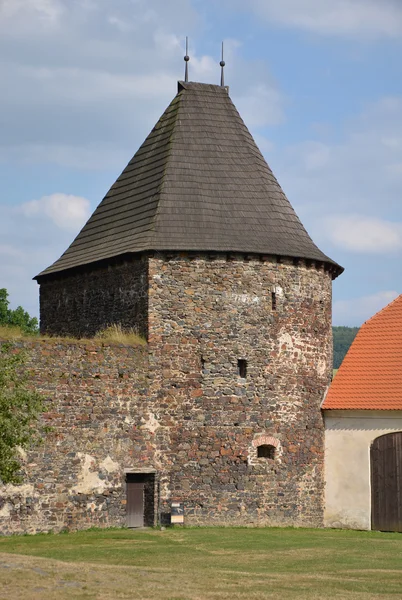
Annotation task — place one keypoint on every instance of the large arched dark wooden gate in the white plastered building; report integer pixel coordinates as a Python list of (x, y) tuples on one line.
[(386, 482)]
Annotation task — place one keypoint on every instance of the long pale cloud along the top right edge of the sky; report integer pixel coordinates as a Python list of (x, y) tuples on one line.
[(334, 17)]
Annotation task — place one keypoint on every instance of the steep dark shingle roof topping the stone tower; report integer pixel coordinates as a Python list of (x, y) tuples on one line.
[(197, 183)]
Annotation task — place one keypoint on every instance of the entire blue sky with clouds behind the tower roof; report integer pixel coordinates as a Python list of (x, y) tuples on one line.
[(318, 82)]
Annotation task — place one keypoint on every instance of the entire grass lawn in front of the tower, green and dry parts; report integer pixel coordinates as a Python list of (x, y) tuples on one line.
[(198, 563)]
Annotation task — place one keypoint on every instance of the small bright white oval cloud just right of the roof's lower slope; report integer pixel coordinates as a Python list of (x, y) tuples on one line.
[(359, 233)]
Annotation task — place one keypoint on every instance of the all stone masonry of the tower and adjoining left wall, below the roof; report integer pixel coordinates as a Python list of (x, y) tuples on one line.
[(179, 407)]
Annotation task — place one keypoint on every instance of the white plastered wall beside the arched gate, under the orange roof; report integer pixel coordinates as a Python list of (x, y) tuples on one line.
[(348, 437)]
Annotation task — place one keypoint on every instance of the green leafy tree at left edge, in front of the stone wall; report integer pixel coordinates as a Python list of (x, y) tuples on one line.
[(20, 408)]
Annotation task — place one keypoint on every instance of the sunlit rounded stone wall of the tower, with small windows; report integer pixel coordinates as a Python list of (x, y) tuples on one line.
[(204, 315)]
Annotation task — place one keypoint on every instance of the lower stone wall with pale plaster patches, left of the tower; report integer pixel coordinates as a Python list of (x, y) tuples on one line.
[(96, 406)]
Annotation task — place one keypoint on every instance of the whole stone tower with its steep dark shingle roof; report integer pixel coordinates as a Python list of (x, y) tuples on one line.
[(197, 247)]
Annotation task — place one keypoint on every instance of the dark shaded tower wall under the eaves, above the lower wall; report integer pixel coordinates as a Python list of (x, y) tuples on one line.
[(80, 304)]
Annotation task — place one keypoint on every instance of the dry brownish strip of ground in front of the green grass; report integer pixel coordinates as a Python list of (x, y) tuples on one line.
[(23, 577)]
